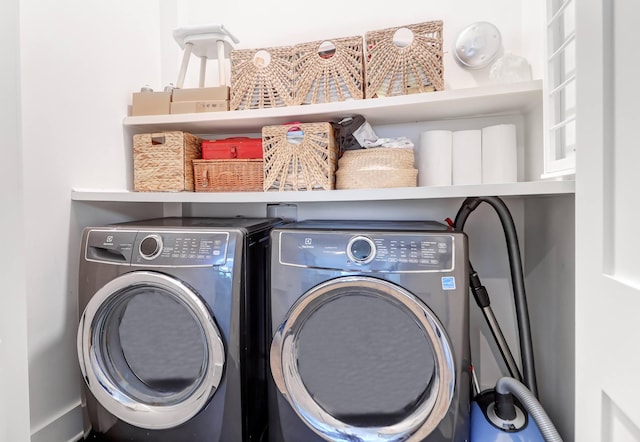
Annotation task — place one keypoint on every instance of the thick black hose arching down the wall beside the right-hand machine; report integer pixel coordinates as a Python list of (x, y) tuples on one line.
[(517, 279)]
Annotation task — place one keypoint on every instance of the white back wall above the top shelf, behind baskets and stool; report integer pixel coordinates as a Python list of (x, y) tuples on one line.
[(279, 23)]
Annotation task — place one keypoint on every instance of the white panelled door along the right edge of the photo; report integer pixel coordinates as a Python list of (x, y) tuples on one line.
[(608, 221)]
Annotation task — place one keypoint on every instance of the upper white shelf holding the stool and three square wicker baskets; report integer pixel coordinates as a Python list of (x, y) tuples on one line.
[(442, 105)]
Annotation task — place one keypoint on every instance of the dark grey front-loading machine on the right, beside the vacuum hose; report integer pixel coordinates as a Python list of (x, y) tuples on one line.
[(369, 325)]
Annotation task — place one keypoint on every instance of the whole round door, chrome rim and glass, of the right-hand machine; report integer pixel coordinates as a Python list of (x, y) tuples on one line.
[(359, 358)]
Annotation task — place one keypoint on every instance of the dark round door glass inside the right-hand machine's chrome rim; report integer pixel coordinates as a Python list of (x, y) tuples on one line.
[(351, 360)]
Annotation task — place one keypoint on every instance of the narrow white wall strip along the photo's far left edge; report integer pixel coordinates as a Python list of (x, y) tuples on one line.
[(14, 401)]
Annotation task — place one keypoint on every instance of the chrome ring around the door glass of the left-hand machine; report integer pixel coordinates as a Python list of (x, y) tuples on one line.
[(116, 401)]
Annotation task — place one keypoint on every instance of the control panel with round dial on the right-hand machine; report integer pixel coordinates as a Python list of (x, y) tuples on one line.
[(384, 251)]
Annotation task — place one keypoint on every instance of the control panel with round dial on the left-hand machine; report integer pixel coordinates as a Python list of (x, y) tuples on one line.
[(157, 248)]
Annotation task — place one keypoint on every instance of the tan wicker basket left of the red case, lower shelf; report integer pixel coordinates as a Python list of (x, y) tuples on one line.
[(162, 161)]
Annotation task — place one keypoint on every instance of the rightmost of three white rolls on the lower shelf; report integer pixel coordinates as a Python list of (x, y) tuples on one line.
[(499, 154)]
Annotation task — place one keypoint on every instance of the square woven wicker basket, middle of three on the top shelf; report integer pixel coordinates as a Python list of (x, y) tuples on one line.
[(334, 75)]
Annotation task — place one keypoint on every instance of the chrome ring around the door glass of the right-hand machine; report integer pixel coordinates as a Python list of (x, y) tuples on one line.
[(285, 372)]
